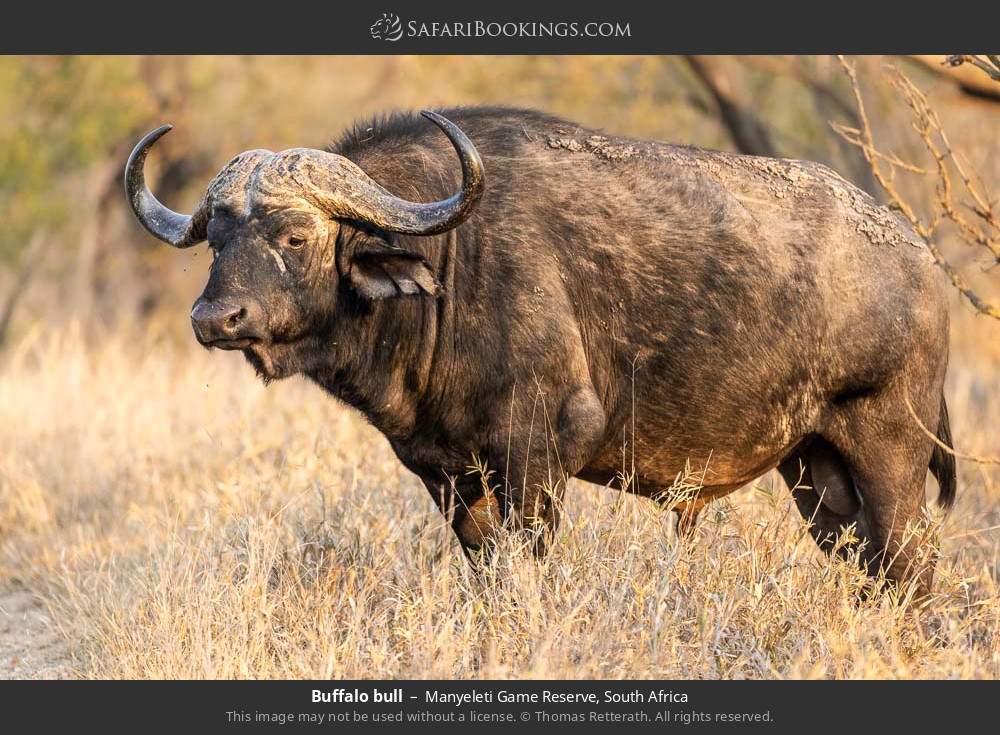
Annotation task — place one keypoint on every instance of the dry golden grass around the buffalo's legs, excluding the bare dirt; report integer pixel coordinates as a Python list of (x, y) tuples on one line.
[(179, 520)]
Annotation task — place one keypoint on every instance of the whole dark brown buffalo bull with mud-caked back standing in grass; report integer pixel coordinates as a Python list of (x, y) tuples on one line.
[(567, 297)]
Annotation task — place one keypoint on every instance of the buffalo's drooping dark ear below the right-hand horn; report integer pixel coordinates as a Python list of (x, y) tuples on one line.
[(379, 269)]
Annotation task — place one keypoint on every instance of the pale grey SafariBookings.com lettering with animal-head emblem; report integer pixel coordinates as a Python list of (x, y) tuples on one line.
[(390, 28)]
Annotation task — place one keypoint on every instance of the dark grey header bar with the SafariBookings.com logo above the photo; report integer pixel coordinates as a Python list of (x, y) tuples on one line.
[(511, 27)]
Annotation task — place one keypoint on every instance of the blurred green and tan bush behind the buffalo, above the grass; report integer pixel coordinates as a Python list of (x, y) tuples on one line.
[(70, 250)]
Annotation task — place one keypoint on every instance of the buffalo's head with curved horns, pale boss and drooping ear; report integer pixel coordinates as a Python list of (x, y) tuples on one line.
[(284, 231)]
